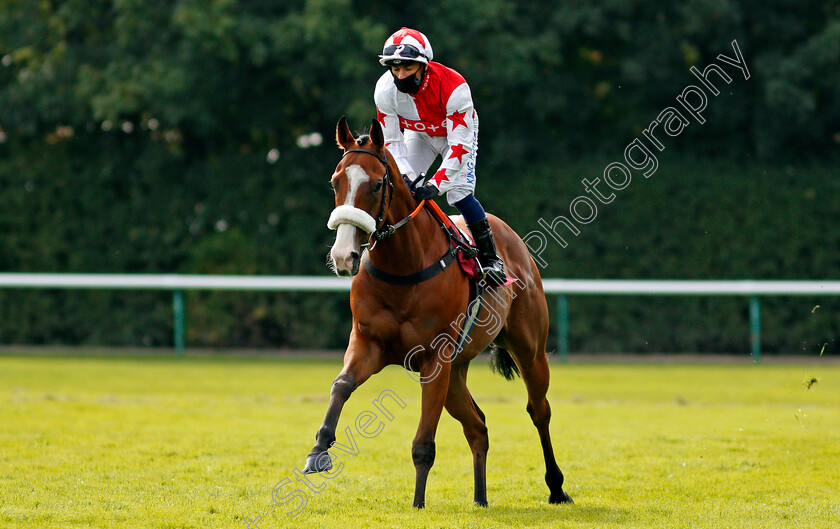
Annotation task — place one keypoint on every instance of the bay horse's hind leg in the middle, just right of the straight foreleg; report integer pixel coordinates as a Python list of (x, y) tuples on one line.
[(460, 404)]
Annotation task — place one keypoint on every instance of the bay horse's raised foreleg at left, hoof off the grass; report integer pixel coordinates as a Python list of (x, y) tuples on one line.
[(361, 360)]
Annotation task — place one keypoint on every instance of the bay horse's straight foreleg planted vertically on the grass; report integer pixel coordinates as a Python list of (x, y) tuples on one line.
[(435, 381)]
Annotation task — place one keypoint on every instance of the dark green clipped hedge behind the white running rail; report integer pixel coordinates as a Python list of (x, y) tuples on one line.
[(694, 218)]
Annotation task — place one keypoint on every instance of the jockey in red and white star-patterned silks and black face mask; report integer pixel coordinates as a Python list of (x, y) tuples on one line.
[(426, 110)]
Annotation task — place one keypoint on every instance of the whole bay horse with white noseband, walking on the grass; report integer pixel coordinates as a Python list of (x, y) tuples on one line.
[(410, 320)]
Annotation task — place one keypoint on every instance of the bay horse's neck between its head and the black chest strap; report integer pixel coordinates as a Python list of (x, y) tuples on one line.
[(412, 247)]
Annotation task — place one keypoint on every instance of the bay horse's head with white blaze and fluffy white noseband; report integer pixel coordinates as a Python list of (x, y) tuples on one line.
[(361, 182)]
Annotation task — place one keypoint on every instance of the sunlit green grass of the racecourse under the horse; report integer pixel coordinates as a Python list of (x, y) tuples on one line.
[(133, 442)]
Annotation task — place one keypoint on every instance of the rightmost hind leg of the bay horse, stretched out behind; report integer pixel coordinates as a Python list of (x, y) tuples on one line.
[(526, 339)]
